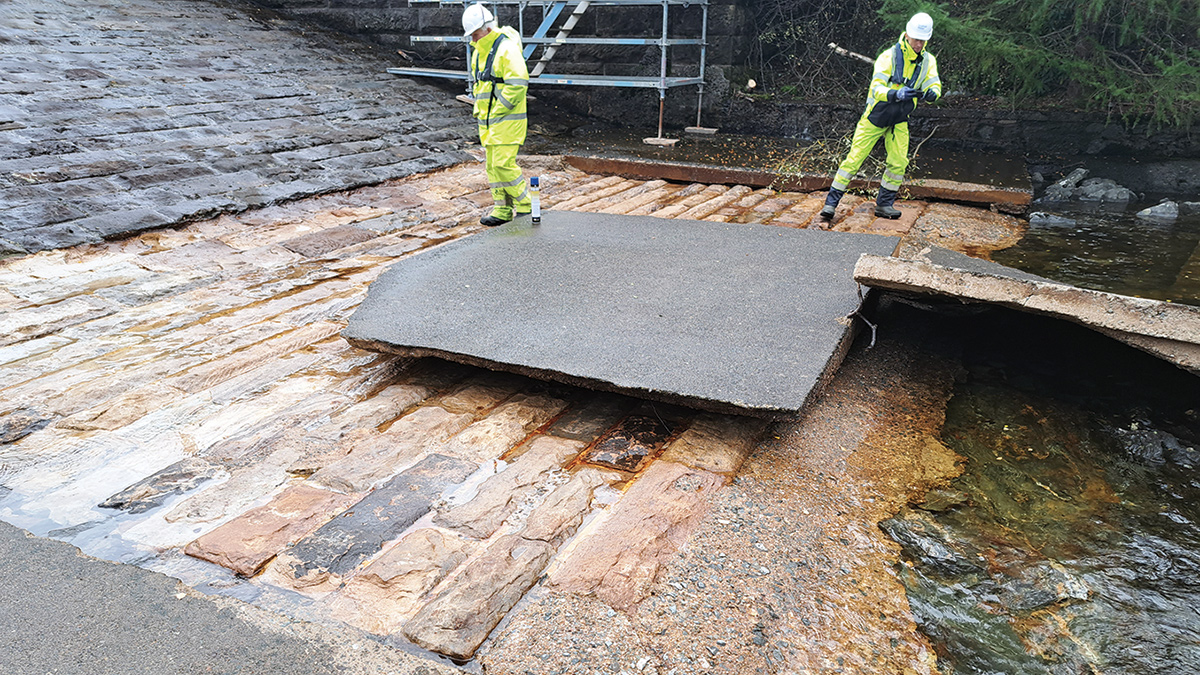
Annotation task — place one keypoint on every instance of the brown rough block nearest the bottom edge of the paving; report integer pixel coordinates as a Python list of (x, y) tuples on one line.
[(458, 622)]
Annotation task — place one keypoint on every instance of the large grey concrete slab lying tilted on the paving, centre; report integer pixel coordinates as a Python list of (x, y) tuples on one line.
[(743, 319)]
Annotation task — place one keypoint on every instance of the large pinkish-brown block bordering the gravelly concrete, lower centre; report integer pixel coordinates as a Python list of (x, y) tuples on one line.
[(652, 522)]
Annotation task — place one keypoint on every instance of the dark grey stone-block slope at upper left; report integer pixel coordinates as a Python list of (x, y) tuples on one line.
[(121, 117)]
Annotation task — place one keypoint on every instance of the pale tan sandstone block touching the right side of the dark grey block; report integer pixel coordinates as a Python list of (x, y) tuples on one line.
[(502, 494)]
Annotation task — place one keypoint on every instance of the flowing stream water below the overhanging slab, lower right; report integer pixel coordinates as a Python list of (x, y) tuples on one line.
[(1072, 541)]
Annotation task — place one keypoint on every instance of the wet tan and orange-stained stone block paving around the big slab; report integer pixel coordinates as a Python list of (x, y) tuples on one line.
[(182, 399)]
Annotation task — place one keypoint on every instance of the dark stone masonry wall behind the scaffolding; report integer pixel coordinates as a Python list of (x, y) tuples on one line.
[(391, 23)]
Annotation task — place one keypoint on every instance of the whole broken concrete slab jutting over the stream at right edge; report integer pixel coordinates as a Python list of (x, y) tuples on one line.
[(1166, 330)]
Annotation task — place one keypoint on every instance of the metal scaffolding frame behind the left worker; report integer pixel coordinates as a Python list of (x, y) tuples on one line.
[(551, 10)]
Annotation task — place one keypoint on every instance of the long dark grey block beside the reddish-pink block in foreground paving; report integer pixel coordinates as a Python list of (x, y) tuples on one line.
[(358, 534)]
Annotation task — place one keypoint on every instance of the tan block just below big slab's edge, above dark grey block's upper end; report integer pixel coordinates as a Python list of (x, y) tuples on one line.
[(505, 428)]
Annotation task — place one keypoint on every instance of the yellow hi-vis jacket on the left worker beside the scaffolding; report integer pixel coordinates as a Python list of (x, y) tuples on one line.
[(502, 81)]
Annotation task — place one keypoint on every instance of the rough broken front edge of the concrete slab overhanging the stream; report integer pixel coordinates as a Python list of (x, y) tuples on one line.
[(1095, 309)]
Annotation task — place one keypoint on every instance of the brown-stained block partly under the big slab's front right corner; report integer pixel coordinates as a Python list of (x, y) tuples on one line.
[(716, 443)]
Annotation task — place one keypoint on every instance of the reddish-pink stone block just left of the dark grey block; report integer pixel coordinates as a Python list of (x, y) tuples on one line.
[(249, 542)]
